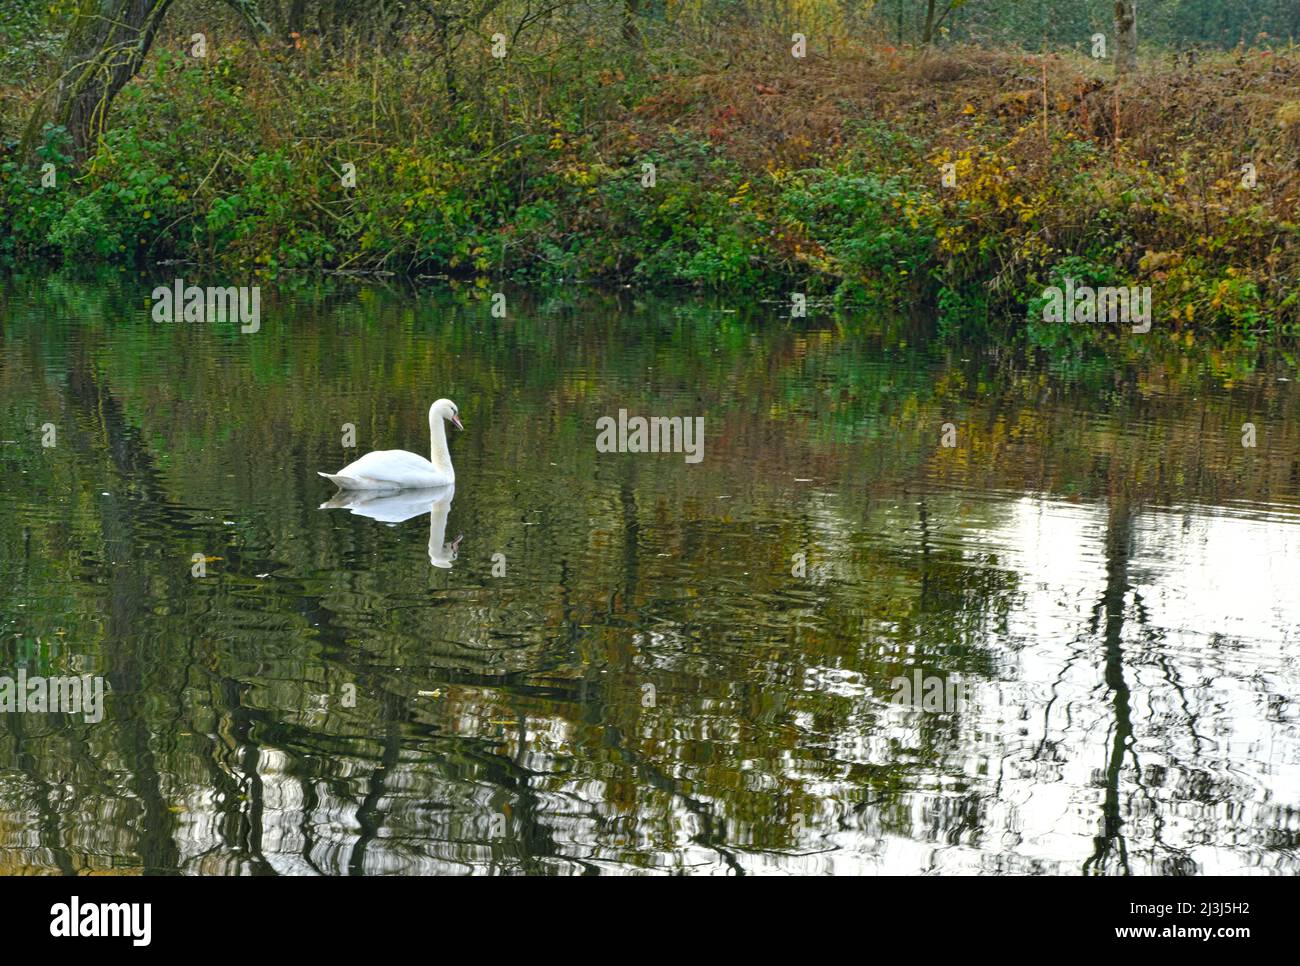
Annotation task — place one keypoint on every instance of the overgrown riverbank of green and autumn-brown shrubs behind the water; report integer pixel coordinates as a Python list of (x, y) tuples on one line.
[(960, 183)]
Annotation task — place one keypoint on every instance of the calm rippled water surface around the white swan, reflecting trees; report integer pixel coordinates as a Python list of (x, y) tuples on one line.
[(649, 687)]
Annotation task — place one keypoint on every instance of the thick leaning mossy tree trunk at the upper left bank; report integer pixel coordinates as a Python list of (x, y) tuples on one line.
[(106, 46)]
